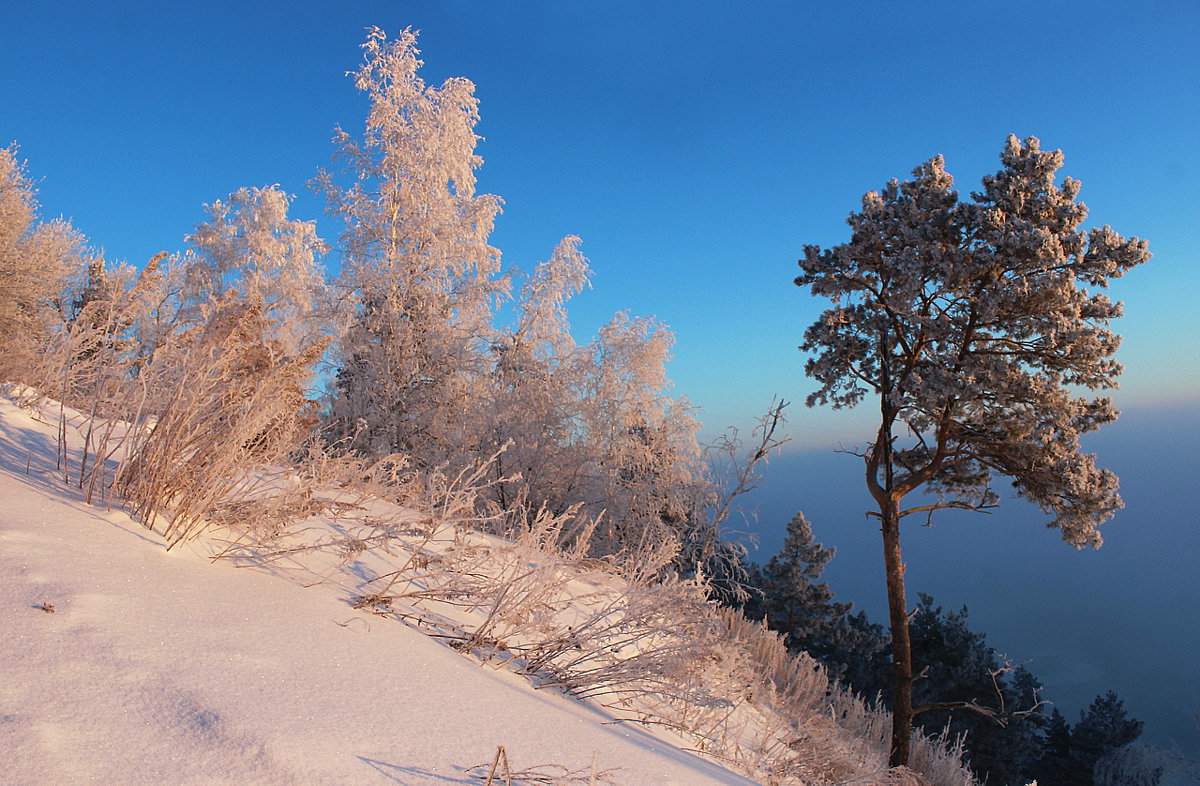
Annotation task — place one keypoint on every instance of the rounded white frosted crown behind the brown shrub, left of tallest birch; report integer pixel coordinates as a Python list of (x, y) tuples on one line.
[(251, 247)]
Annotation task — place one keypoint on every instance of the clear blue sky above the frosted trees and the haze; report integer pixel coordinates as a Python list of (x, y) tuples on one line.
[(694, 147)]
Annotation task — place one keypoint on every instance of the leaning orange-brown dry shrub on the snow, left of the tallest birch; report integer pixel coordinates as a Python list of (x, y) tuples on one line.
[(227, 401)]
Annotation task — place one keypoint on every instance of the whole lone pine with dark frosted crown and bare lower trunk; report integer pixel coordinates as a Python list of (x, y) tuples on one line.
[(974, 325)]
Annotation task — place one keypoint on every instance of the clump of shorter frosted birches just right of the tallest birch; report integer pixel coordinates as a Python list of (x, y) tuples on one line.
[(592, 427)]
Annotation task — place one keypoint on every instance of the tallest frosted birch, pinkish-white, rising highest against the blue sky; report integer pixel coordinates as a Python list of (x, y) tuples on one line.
[(419, 278)]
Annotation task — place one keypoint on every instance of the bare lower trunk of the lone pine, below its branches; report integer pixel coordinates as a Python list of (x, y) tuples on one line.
[(902, 647)]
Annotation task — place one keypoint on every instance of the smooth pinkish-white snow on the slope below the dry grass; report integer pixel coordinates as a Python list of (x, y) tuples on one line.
[(169, 668)]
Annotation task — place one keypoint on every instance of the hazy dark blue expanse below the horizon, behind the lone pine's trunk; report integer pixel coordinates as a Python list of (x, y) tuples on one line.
[(1125, 617)]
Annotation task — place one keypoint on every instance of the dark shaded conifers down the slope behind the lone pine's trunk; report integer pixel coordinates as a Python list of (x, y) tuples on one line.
[(964, 685)]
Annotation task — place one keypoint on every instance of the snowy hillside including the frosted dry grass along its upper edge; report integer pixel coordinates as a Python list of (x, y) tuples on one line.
[(316, 633)]
